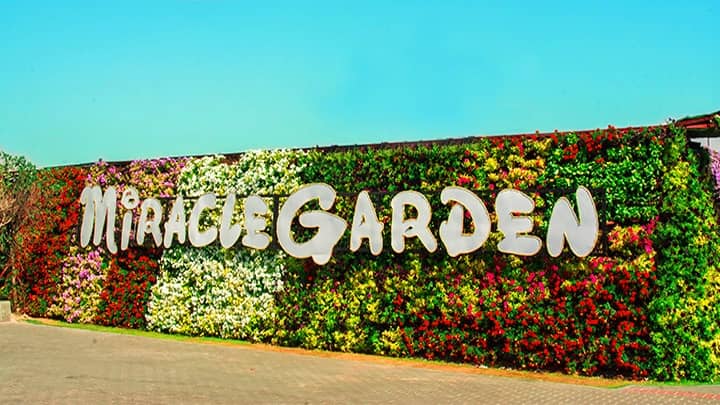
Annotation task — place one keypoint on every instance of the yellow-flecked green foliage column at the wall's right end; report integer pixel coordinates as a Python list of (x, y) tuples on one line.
[(685, 313)]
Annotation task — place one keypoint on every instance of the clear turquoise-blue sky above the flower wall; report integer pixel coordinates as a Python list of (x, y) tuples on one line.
[(118, 80)]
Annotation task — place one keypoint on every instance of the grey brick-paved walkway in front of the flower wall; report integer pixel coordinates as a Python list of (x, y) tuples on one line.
[(45, 364)]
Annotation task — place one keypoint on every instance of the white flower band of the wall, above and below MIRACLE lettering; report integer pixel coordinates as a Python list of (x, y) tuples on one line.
[(217, 292)]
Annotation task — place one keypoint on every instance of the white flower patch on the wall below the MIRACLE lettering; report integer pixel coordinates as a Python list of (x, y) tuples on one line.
[(215, 292)]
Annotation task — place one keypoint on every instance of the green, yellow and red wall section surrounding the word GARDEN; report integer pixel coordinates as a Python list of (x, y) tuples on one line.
[(570, 314)]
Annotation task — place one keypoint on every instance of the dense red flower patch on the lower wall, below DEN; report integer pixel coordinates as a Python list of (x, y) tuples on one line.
[(592, 324)]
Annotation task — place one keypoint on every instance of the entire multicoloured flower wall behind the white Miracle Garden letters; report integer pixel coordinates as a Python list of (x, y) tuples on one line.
[(642, 305)]
